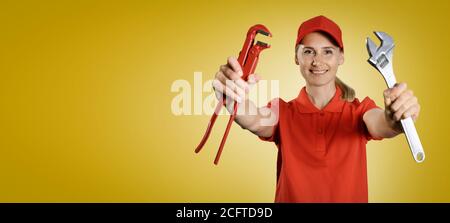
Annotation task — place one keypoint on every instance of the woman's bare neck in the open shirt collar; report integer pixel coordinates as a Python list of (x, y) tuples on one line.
[(320, 96)]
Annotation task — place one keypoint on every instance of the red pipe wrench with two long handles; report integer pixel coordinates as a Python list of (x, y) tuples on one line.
[(248, 59)]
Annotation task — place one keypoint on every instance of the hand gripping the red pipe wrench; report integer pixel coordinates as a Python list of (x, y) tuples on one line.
[(228, 82)]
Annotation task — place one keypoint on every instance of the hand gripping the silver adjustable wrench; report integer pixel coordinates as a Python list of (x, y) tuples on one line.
[(400, 103)]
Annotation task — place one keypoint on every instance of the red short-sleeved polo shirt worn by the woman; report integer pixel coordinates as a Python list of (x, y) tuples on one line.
[(322, 153)]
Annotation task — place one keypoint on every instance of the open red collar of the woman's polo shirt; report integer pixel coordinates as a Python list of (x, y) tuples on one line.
[(304, 105)]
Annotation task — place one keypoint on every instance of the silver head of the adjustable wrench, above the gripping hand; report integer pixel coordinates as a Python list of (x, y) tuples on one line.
[(381, 57)]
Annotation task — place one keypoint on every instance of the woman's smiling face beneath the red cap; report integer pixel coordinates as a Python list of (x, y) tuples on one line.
[(319, 59)]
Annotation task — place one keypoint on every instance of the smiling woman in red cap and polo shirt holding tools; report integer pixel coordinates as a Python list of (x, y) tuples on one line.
[(322, 134)]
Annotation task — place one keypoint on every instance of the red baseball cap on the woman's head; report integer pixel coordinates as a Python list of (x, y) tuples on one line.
[(320, 23)]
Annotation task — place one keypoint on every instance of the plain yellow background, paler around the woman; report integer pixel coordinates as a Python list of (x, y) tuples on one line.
[(85, 97)]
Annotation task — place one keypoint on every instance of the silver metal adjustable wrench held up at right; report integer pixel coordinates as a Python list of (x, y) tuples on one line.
[(381, 59)]
